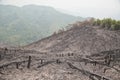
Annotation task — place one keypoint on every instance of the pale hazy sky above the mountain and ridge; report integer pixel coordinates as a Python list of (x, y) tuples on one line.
[(83, 8)]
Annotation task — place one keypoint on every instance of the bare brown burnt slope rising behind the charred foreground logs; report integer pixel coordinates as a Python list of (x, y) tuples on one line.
[(82, 38)]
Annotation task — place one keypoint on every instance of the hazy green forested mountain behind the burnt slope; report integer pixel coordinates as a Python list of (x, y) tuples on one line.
[(23, 25)]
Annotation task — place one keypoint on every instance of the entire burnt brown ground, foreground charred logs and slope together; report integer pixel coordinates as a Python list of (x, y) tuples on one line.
[(83, 52)]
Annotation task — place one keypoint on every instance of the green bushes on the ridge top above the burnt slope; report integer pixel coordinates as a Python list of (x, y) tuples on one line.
[(107, 23)]
